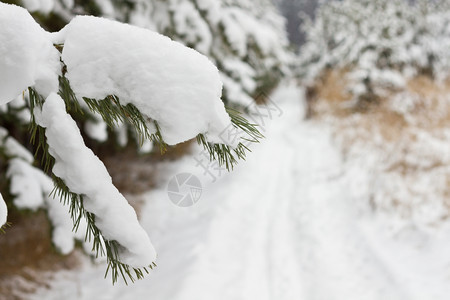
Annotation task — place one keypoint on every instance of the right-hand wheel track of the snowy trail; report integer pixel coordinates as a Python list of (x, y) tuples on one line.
[(337, 260)]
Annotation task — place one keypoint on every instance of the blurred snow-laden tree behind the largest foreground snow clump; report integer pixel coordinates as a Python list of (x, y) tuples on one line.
[(245, 39)]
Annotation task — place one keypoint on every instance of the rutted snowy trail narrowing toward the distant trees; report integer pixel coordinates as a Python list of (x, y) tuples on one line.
[(286, 227)]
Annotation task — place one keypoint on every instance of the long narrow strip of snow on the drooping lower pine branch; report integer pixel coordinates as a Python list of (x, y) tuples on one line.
[(85, 174)]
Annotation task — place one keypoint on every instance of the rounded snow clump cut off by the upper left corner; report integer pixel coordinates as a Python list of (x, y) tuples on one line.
[(27, 56)]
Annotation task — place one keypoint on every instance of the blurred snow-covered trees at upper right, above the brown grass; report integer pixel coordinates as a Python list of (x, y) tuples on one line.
[(381, 43)]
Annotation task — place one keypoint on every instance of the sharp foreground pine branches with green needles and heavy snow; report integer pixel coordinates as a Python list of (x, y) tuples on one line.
[(167, 92)]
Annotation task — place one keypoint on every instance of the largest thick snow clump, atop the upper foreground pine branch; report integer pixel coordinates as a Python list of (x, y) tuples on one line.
[(168, 82)]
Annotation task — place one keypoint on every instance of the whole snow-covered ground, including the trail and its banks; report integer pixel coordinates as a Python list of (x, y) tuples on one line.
[(286, 224)]
